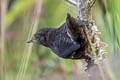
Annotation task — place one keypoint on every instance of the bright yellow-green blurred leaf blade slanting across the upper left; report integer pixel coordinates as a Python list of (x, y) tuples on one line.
[(17, 8)]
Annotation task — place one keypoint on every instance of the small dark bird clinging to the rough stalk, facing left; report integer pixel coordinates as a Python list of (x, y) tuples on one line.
[(68, 41)]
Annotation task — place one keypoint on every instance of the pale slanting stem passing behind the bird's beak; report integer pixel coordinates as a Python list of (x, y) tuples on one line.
[(28, 49)]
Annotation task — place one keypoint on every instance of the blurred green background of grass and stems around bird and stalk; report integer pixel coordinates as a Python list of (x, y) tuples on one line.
[(21, 61)]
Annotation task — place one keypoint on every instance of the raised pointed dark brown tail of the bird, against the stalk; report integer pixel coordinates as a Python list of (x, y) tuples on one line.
[(74, 26)]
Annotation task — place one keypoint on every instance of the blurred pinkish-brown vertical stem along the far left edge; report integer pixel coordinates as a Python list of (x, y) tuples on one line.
[(3, 12)]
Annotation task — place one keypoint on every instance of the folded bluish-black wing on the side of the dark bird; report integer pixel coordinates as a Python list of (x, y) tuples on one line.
[(64, 47)]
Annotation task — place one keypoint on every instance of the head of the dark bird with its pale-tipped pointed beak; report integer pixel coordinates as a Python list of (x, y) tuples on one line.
[(40, 37)]
